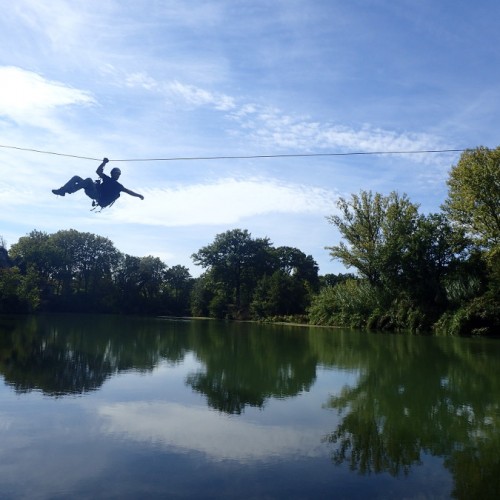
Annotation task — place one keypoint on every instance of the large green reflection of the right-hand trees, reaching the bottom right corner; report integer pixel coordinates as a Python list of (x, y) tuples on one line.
[(435, 396)]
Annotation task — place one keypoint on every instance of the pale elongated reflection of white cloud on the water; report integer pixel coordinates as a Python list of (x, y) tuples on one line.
[(218, 436)]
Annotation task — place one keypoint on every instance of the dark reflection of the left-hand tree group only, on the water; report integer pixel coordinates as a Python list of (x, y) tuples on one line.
[(61, 355)]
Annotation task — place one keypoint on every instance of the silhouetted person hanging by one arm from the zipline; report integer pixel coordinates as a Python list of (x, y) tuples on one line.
[(104, 192)]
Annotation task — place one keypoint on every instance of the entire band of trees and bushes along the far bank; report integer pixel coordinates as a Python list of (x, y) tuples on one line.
[(436, 273)]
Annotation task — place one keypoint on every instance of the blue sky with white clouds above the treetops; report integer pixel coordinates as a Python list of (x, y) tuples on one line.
[(130, 79)]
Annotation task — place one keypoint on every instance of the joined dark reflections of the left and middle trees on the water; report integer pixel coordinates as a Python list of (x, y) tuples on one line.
[(243, 365)]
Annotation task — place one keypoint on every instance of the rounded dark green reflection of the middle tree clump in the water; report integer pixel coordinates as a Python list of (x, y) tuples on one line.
[(246, 365)]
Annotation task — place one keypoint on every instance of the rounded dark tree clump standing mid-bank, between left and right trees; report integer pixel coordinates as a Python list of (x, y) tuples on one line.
[(249, 278)]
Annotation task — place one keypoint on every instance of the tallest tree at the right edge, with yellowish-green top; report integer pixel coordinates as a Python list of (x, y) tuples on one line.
[(473, 206)]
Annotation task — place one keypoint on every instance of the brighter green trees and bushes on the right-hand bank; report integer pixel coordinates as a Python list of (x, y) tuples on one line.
[(419, 272)]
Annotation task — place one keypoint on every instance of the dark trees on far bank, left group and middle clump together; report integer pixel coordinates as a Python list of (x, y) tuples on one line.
[(84, 272)]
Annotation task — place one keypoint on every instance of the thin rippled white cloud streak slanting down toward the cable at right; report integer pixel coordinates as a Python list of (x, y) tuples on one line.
[(273, 129)]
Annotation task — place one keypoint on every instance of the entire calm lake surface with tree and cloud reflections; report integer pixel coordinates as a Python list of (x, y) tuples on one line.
[(109, 407)]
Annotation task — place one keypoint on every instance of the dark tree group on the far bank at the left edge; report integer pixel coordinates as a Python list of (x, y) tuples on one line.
[(72, 271)]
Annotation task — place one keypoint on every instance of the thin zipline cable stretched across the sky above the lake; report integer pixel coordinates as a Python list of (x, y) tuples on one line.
[(246, 157)]
